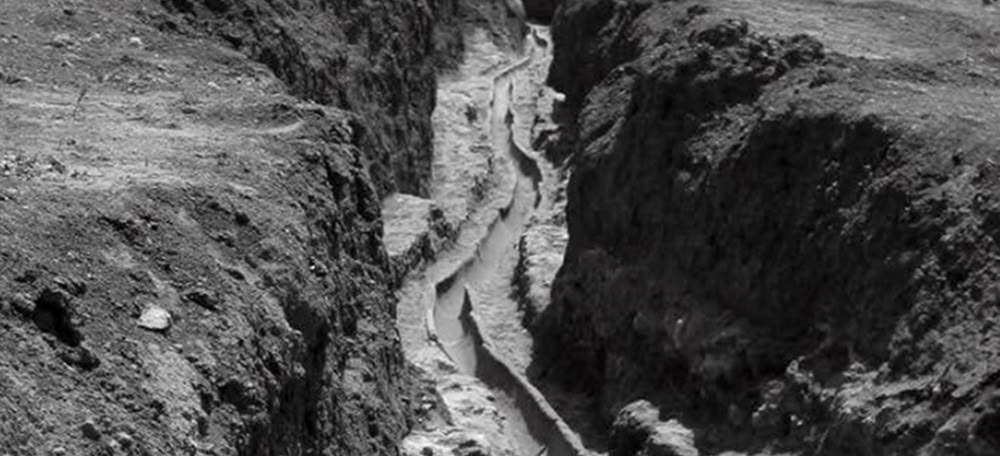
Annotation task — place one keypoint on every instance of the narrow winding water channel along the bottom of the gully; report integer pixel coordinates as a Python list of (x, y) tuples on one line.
[(533, 426)]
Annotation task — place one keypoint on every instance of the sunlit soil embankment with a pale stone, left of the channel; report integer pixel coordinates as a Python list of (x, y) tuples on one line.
[(191, 255)]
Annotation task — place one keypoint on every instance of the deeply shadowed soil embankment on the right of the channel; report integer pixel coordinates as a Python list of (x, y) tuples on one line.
[(786, 242)]
